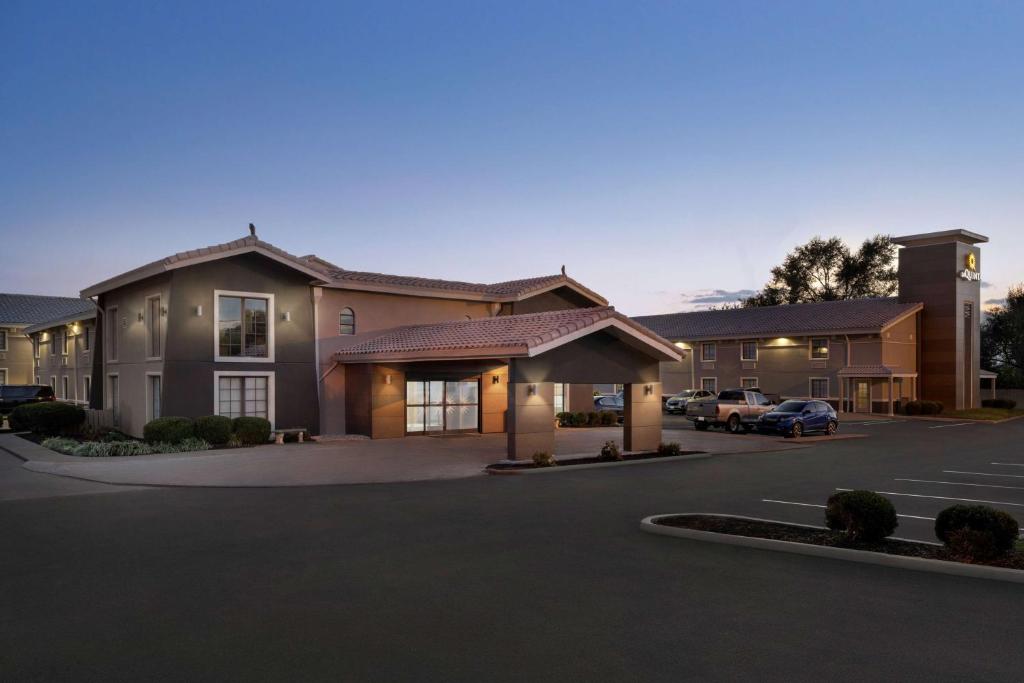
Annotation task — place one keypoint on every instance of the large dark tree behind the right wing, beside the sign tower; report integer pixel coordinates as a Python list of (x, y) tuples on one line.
[(829, 271)]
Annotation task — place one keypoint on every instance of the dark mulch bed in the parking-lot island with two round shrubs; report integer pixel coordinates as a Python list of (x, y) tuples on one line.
[(816, 537)]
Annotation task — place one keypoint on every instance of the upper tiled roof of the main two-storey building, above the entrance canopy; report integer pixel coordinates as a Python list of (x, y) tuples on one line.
[(325, 274)]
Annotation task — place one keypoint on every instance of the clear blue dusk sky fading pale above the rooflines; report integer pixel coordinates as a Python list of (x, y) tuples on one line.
[(668, 154)]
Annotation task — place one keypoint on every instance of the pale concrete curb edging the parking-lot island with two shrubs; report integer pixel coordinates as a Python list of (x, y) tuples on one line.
[(863, 557)]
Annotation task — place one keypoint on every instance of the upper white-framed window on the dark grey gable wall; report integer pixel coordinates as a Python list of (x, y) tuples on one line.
[(243, 327)]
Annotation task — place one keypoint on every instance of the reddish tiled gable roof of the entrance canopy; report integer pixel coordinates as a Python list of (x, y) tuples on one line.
[(525, 335)]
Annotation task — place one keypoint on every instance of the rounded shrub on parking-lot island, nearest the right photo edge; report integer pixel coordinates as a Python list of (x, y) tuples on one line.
[(976, 532)]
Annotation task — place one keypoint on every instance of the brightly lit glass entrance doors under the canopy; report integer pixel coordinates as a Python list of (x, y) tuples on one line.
[(434, 406)]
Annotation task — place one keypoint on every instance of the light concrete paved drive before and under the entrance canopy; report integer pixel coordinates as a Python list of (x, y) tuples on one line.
[(358, 461)]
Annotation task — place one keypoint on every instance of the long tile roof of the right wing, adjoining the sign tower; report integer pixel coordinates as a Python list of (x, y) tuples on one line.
[(802, 319)]
